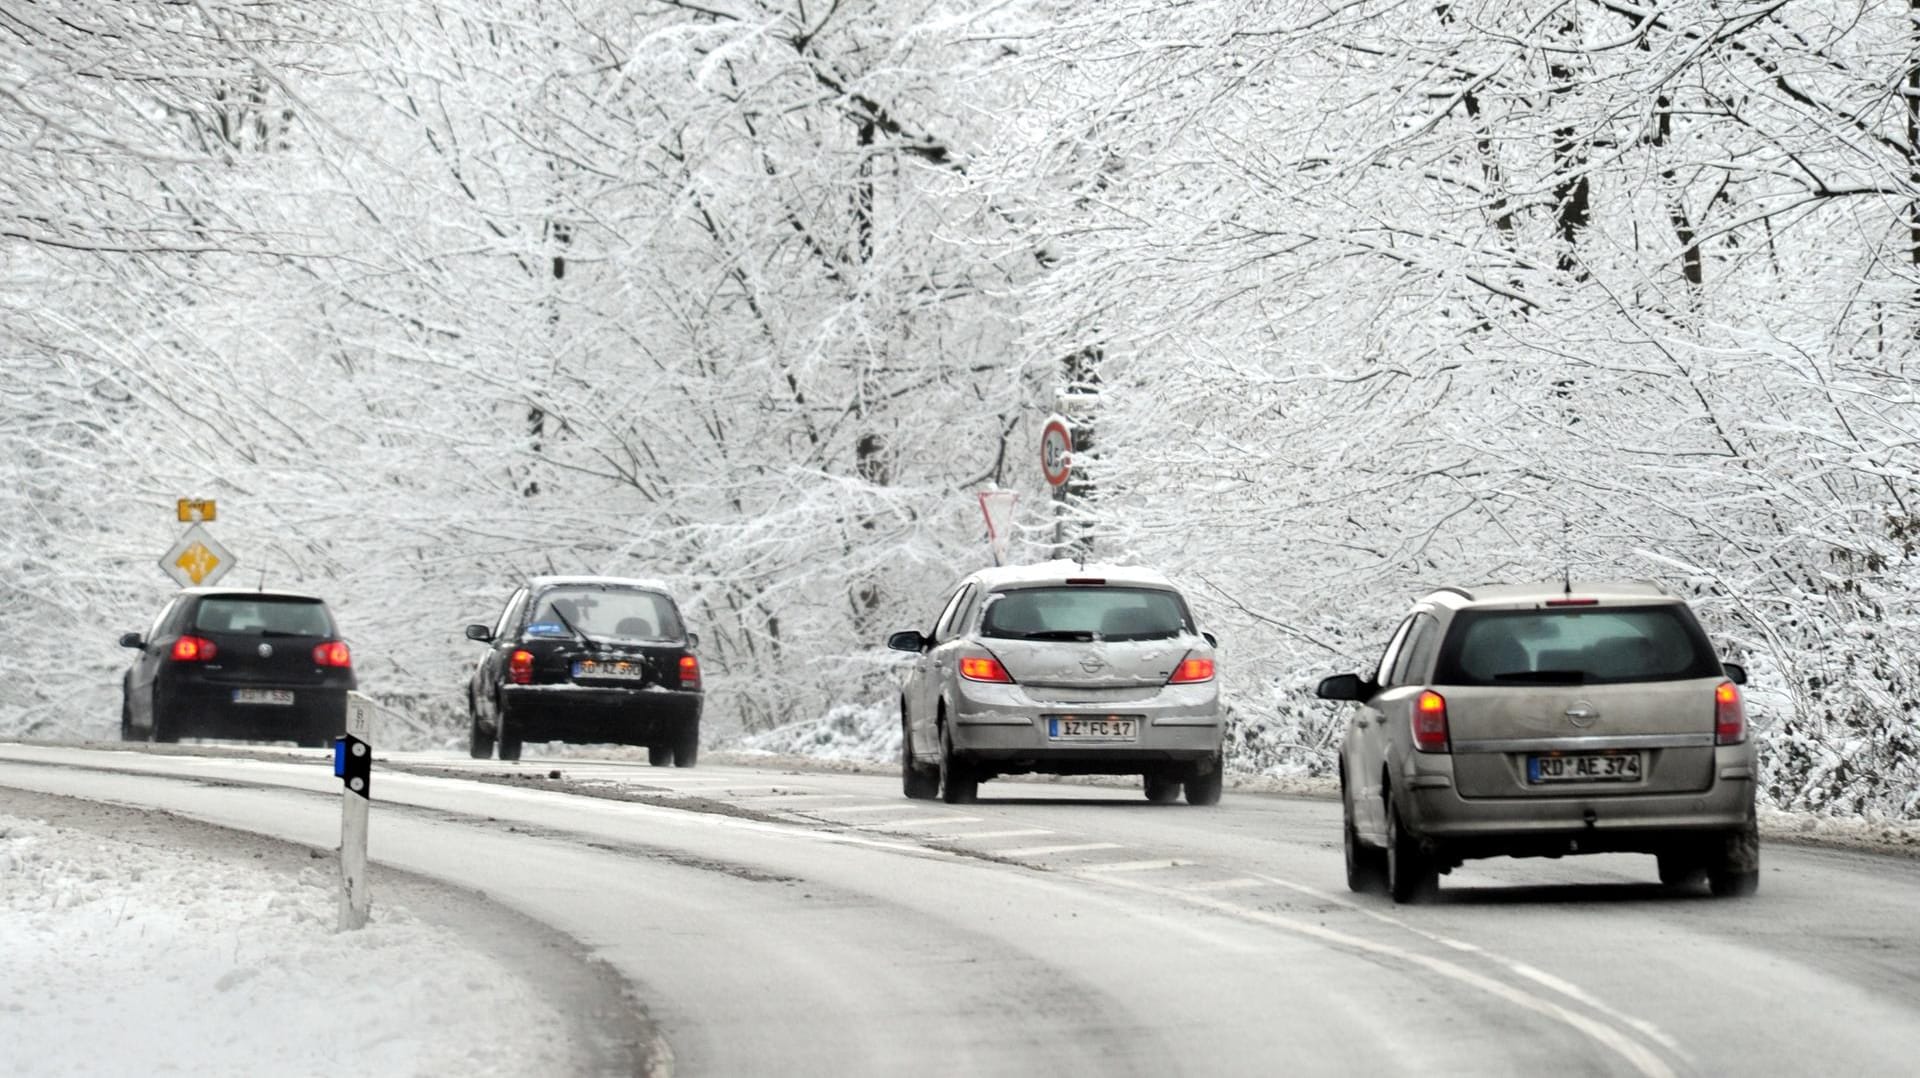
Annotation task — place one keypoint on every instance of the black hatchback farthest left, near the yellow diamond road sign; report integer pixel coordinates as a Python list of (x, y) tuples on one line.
[(233, 664)]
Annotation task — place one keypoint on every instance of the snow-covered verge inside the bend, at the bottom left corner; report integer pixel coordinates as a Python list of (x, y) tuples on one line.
[(122, 960)]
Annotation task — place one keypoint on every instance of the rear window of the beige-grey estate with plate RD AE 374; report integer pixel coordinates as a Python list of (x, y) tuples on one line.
[(1577, 647)]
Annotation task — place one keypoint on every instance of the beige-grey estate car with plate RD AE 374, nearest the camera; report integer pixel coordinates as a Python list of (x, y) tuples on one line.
[(1541, 722)]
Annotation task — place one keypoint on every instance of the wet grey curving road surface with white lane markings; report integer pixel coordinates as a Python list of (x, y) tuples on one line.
[(817, 923)]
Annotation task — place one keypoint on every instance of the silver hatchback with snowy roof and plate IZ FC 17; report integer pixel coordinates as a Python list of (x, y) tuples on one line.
[(1063, 670)]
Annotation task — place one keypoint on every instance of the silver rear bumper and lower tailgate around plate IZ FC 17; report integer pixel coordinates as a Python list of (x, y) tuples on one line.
[(1005, 731)]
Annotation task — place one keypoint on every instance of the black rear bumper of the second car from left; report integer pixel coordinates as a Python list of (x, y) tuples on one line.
[(600, 716)]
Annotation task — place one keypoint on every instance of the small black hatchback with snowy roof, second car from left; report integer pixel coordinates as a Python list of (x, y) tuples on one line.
[(588, 660)]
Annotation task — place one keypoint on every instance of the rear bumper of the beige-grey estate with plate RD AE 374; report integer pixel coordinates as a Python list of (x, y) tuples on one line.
[(1585, 821)]
